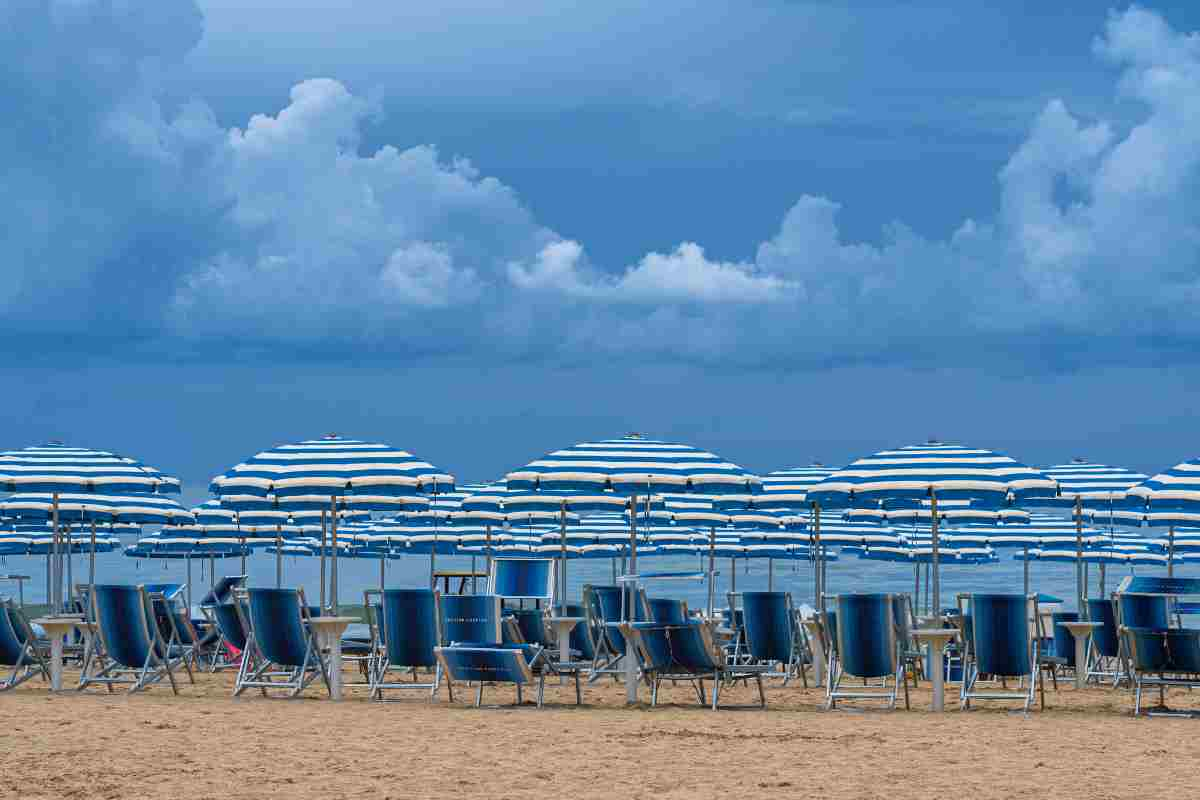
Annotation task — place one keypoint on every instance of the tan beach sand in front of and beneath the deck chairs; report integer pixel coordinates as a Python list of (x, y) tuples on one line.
[(206, 744)]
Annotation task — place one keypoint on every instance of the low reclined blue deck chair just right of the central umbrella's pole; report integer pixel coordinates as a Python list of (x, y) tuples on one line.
[(687, 653)]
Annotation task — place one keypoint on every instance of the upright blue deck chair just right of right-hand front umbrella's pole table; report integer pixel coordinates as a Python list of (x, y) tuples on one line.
[(1004, 645)]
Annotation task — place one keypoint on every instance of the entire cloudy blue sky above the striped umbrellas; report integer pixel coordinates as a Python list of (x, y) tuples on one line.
[(783, 231)]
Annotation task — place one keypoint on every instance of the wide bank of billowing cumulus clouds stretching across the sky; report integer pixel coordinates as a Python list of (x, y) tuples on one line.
[(157, 224)]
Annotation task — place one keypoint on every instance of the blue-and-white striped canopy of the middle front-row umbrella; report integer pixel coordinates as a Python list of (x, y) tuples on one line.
[(634, 466)]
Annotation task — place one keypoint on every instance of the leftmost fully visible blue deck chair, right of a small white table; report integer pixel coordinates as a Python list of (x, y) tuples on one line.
[(131, 648)]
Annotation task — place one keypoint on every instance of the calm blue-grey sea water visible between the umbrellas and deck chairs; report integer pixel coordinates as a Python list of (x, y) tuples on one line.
[(356, 575)]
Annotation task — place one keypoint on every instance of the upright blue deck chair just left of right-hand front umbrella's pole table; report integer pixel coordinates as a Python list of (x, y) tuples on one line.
[(868, 648)]
